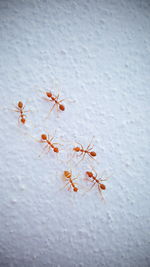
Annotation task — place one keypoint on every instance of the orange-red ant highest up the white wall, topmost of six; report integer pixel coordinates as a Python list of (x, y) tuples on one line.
[(51, 98)]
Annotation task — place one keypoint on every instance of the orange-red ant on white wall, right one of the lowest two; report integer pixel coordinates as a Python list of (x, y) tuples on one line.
[(93, 178)]
